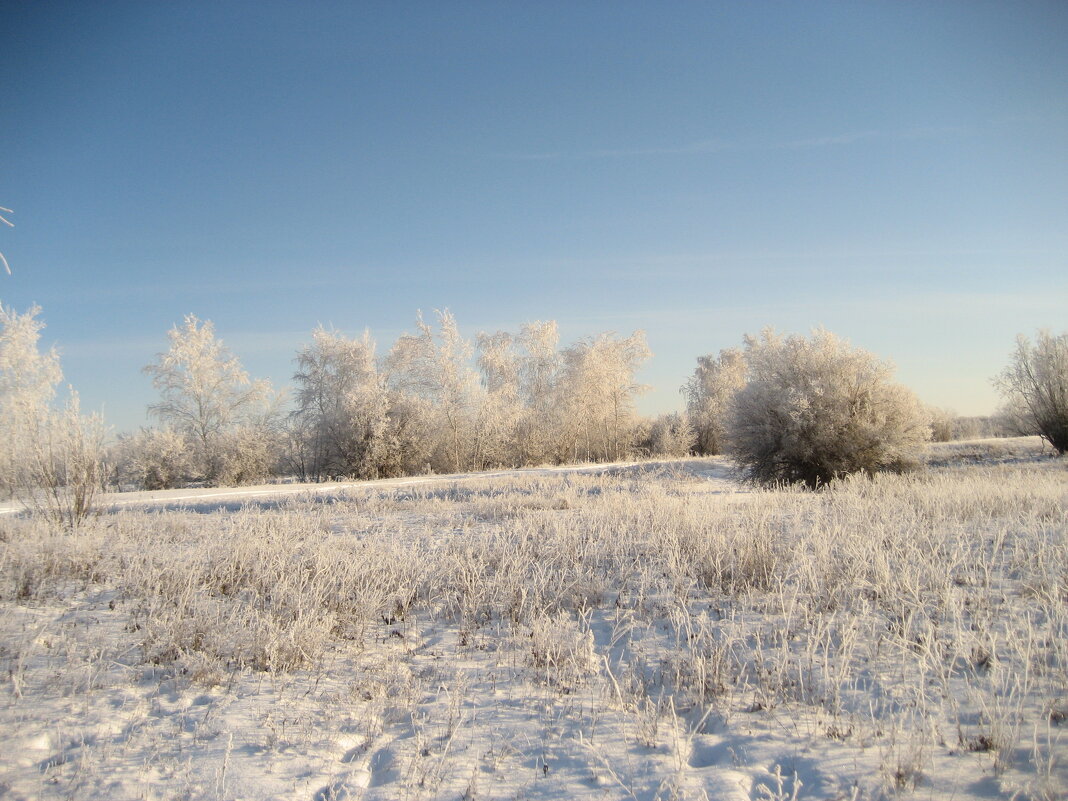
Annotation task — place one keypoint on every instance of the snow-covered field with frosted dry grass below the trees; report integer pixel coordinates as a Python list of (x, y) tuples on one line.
[(646, 632)]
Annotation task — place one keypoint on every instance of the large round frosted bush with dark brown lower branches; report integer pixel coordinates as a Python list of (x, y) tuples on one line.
[(816, 409)]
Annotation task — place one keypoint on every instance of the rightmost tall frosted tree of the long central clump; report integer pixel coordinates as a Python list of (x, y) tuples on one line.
[(598, 389)]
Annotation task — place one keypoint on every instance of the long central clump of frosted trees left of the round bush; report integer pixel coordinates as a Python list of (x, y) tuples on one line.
[(436, 402)]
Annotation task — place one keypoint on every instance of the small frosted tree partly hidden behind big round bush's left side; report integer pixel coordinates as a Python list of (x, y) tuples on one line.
[(709, 396)]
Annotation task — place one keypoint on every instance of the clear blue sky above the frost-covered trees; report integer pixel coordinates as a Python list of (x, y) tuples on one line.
[(897, 172)]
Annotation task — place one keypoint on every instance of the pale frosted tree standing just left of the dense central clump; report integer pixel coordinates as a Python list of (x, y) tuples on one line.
[(210, 400)]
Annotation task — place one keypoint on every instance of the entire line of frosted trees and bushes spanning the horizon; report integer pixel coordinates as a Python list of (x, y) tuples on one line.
[(786, 409)]
